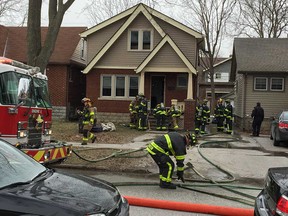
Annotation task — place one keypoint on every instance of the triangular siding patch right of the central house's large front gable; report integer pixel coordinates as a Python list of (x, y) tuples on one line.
[(186, 42)]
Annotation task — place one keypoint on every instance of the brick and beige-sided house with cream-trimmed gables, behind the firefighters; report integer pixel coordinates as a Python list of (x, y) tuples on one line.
[(141, 51)]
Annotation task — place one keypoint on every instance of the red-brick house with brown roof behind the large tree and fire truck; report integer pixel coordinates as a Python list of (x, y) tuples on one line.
[(62, 74)]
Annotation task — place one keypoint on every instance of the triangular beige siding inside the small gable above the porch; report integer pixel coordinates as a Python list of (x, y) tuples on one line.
[(167, 58)]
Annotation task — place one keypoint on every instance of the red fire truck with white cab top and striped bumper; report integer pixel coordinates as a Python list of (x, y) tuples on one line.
[(26, 112)]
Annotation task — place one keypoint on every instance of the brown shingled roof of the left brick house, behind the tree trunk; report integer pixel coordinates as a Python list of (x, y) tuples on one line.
[(13, 43)]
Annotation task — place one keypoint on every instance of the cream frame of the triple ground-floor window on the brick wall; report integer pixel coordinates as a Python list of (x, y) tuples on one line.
[(113, 86)]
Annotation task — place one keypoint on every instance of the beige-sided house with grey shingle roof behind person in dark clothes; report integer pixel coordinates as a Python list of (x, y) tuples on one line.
[(260, 66)]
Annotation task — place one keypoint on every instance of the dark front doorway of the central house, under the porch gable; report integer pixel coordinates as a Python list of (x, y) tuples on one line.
[(157, 90)]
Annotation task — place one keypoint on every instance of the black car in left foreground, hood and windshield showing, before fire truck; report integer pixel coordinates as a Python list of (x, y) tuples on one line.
[(29, 188)]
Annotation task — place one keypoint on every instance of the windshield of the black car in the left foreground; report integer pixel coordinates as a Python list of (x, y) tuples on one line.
[(15, 166)]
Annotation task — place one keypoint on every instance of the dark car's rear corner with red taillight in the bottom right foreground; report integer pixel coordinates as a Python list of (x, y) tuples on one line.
[(273, 199)]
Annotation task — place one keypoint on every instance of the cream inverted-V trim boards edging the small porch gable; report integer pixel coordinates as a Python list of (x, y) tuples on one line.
[(166, 39)]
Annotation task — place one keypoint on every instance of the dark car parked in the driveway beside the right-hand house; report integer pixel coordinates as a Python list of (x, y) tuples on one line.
[(279, 128)]
